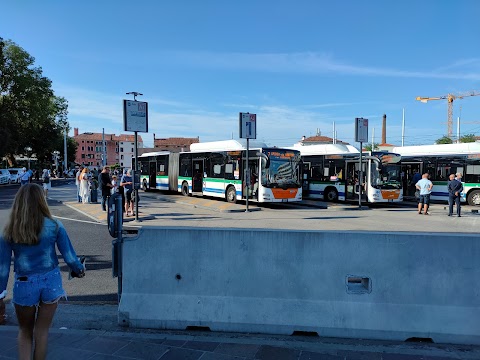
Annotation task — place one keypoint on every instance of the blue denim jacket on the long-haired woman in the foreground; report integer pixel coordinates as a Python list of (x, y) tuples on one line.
[(39, 258)]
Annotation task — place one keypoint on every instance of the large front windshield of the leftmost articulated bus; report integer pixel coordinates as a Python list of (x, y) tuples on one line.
[(283, 170)]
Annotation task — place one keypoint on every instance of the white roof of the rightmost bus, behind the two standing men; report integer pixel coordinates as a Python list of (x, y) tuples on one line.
[(439, 149)]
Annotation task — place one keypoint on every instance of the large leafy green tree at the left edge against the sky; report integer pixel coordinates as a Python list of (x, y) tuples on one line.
[(31, 116)]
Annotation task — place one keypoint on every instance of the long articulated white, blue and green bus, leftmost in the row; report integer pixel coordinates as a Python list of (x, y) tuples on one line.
[(218, 169)]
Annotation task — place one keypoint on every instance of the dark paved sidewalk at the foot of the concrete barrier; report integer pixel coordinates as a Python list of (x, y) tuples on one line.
[(90, 332)]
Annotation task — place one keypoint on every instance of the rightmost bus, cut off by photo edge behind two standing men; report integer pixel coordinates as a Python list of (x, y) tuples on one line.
[(440, 161)]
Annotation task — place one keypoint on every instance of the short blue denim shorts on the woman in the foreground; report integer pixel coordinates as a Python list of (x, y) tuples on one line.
[(34, 289)]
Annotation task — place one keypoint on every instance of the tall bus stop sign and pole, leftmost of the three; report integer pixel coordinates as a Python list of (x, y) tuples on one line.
[(135, 118)]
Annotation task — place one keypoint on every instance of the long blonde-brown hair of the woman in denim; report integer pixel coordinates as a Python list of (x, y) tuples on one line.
[(29, 211)]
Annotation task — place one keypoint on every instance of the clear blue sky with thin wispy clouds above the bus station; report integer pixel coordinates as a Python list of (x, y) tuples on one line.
[(299, 65)]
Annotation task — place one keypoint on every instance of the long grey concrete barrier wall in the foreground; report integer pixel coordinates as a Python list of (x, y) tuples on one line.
[(390, 286)]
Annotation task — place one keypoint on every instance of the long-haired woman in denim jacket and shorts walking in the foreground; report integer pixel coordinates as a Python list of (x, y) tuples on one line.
[(32, 236)]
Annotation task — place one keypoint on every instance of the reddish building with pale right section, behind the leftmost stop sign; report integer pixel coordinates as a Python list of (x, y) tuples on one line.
[(119, 149)]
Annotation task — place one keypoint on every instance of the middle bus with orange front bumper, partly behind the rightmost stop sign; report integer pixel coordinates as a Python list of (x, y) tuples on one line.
[(331, 173)]
